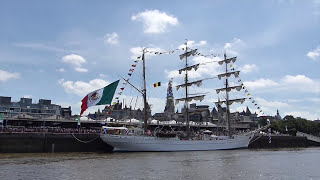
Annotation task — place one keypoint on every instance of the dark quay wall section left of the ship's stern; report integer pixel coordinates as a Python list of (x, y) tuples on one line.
[(43, 142)]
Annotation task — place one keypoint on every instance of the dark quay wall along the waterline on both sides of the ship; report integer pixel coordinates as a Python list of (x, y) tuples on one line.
[(46, 142)]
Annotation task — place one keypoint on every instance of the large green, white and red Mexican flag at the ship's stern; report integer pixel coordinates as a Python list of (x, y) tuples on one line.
[(99, 97)]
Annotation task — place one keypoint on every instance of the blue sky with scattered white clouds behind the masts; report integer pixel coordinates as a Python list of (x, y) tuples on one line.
[(62, 50)]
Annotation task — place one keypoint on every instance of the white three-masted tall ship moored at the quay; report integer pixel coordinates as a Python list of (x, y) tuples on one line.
[(186, 141)]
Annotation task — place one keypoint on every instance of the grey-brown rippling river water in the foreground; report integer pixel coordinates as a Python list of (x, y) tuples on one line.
[(230, 164)]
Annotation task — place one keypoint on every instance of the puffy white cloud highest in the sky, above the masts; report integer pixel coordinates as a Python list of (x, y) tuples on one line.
[(155, 21)]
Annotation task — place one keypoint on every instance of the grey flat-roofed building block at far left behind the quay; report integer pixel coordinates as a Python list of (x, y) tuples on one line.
[(43, 109)]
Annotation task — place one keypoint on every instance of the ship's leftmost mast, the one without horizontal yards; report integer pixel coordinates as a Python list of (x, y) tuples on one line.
[(144, 92)]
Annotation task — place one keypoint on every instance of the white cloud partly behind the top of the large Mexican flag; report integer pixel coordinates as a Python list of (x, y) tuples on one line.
[(81, 88)]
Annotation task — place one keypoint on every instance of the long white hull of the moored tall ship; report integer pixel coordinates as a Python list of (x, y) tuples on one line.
[(148, 143)]
